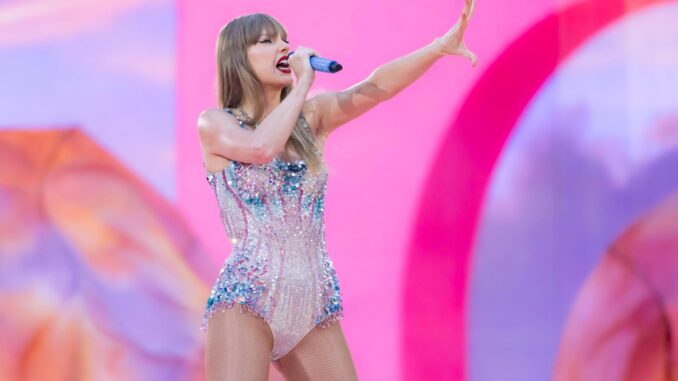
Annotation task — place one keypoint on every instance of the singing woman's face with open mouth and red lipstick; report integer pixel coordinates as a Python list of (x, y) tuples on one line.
[(264, 56)]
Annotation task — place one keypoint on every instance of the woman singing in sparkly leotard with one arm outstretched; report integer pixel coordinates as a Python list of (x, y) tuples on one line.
[(262, 153)]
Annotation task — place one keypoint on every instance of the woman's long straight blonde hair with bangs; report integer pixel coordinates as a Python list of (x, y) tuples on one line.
[(236, 79)]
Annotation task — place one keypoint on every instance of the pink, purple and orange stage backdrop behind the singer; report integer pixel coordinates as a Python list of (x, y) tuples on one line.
[(487, 223)]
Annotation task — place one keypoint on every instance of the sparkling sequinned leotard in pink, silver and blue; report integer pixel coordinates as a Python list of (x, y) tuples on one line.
[(278, 268)]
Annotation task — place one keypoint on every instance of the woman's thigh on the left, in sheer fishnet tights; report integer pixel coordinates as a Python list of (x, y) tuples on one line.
[(238, 347)]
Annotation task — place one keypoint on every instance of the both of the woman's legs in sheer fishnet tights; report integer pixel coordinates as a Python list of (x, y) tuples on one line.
[(239, 345)]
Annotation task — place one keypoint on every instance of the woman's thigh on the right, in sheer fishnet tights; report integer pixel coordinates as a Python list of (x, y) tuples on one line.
[(322, 355)]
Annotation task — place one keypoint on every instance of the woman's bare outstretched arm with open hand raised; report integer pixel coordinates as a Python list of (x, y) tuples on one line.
[(337, 108)]
